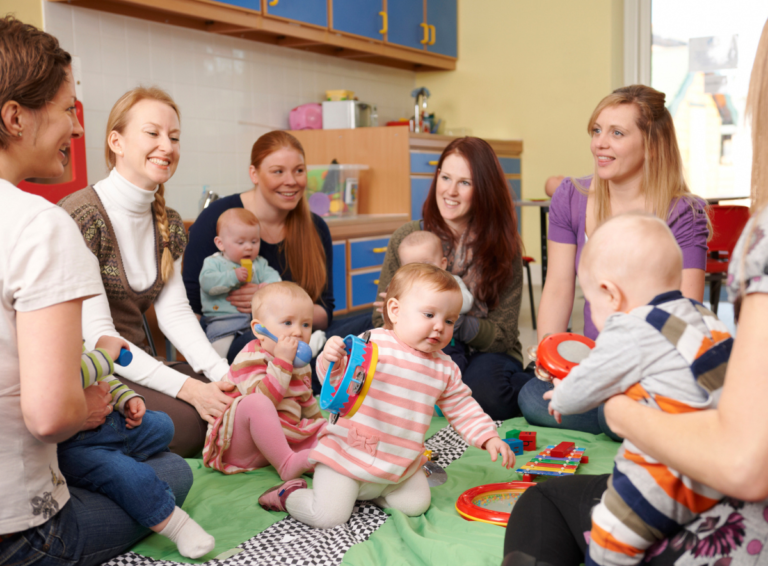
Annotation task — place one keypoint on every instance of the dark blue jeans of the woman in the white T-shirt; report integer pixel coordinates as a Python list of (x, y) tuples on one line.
[(90, 529)]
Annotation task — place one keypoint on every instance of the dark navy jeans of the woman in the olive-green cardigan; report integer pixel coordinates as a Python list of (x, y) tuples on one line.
[(496, 381)]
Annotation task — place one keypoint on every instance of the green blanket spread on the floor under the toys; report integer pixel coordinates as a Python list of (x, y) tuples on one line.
[(226, 507)]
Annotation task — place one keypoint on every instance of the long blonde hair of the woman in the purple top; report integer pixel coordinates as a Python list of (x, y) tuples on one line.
[(663, 180)]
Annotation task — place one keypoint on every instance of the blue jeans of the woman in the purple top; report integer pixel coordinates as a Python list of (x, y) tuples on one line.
[(536, 411)]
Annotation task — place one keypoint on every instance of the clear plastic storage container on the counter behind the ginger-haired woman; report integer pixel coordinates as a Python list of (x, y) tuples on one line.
[(334, 190)]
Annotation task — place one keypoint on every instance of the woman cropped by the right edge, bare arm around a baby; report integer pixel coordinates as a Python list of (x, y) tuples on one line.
[(724, 448)]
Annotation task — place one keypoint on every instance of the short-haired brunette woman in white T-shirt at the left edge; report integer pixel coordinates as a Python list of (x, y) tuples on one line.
[(45, 275)]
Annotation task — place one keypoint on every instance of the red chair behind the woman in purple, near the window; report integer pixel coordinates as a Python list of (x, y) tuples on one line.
[(728, 221)]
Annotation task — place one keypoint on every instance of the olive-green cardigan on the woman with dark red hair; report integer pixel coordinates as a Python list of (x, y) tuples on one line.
[(498, 332)]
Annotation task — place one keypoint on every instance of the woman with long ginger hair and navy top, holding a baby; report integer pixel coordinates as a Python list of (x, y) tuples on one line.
[(294, 241)]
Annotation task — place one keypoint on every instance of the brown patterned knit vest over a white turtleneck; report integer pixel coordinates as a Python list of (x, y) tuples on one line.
[(126, 305)]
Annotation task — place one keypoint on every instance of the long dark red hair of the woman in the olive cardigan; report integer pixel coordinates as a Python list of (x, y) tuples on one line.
[(493, 221)]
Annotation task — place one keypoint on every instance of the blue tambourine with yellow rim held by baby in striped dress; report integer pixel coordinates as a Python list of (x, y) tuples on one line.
[(345, 399)]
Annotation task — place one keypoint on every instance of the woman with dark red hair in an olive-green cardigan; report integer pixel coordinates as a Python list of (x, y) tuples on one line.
[(470, 208)]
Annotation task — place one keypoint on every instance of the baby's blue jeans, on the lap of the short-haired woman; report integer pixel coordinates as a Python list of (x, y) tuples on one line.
[(110, 460)]
